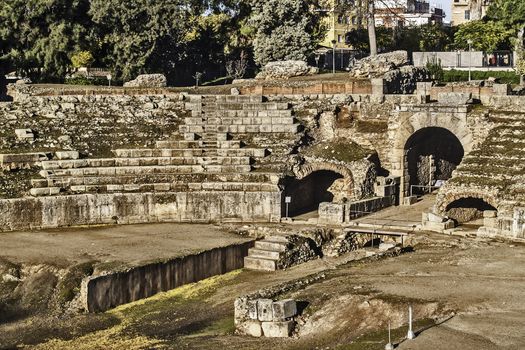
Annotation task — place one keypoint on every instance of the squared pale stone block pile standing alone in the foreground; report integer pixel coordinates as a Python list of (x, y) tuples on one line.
[(265, 317)]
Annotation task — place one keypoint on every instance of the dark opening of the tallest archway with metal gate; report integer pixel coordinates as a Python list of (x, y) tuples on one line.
[(430, 155)]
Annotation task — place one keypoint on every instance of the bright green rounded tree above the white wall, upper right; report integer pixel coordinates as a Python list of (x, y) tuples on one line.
[(486, 36)]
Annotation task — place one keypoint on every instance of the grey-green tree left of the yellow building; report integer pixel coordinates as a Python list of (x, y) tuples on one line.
[(285, 29)]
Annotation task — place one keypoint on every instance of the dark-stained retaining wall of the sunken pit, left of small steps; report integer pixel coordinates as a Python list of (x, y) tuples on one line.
[(105, 292)]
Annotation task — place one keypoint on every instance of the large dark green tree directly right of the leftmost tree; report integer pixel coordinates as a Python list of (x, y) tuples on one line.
[(144, 36)]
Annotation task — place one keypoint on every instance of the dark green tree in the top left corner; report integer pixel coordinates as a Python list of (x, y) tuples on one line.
[(39, 37)]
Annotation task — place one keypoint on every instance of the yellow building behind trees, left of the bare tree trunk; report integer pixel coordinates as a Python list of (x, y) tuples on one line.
[(342, 17)]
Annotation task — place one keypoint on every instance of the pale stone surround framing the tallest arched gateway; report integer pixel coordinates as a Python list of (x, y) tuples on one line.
[(455, 123)]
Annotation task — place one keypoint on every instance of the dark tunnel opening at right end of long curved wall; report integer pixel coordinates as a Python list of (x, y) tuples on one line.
[(307, 193)]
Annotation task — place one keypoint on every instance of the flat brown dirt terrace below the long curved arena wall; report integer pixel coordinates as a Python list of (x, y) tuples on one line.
[(129, 244)]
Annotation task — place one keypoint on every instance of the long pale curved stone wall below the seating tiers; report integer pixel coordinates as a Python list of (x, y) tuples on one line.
[(95, 209)]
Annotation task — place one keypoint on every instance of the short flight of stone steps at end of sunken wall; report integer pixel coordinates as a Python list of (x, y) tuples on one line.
[(266, 254)]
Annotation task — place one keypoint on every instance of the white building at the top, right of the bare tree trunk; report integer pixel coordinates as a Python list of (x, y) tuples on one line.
[(404, 13)]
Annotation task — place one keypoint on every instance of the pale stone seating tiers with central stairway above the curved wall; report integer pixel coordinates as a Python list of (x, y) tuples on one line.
[(209, 157)]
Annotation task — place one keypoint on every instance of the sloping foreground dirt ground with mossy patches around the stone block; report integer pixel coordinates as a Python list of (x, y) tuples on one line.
[(466, 293)]
